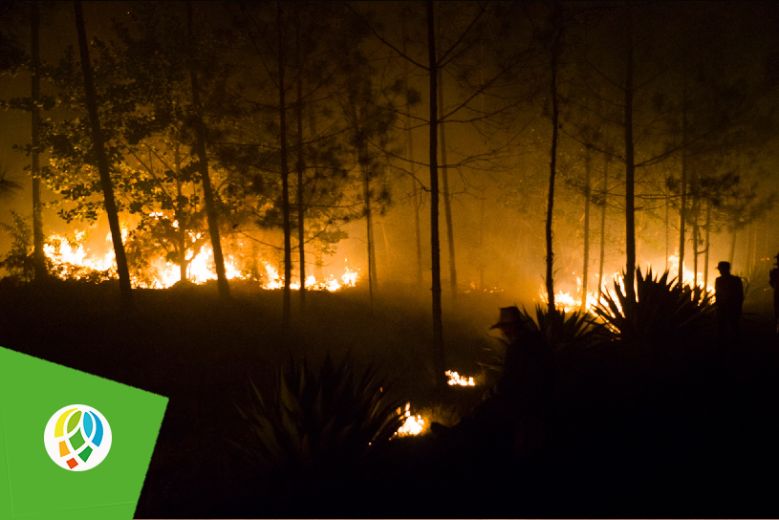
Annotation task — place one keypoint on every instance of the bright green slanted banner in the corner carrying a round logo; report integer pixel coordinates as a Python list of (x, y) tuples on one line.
[(72, 445)]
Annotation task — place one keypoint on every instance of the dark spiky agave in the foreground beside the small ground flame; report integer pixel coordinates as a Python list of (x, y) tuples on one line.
[(321, 420)]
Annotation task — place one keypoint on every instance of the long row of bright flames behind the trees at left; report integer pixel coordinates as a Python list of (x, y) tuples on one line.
[(71, 259)]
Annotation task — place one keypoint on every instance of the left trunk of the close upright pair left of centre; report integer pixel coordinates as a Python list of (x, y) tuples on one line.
[(285, 205)]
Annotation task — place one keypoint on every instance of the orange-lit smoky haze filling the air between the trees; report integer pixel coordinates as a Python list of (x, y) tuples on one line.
[(496, 148)]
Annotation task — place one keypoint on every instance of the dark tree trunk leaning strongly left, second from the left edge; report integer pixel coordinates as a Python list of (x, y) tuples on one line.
[(102, 162)]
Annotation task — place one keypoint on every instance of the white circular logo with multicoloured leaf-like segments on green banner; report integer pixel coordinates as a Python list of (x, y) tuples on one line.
[(77, 437)]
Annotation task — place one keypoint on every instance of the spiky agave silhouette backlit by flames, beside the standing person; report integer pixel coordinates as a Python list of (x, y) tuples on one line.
[(664, 309)]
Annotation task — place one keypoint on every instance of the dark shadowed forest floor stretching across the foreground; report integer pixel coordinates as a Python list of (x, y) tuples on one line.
[(694, 433)]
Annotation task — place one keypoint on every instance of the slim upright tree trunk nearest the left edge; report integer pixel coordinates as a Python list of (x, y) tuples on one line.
[(39, 260)]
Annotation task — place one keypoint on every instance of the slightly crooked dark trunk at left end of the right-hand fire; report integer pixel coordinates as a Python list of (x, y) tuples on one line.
[(555, 51)]
